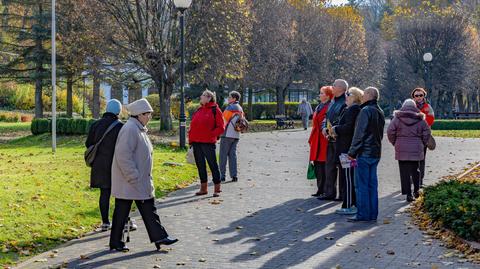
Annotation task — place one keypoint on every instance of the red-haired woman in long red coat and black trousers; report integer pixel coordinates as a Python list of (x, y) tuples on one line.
[(318, 142)]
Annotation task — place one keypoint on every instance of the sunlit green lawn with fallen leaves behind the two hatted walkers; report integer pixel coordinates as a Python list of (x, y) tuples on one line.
[(45, 199)]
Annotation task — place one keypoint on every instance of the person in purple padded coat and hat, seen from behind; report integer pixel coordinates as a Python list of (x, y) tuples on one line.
[(409, 133)]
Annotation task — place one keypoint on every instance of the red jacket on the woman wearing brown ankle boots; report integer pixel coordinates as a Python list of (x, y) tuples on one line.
[(204, 128)]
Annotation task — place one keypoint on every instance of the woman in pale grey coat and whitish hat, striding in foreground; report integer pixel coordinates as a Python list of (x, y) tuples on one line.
[(132, 178)]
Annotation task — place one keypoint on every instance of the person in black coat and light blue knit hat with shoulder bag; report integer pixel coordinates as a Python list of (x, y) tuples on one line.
[(101, 173)]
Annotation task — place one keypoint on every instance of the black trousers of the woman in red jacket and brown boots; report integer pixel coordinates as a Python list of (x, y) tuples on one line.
[(205, 153)]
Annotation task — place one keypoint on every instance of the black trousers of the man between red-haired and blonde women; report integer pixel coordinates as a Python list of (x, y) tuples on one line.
[(332, 165)]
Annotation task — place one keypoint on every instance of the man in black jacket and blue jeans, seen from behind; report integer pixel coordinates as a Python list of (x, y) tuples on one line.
[(366, 149)]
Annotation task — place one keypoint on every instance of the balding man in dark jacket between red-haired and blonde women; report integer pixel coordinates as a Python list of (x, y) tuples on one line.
[(334, 113)]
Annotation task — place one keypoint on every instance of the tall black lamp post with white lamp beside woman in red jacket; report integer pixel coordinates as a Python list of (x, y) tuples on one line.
[(182, 6)]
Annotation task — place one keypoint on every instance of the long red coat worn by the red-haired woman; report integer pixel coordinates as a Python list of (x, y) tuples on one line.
[(318, 142)]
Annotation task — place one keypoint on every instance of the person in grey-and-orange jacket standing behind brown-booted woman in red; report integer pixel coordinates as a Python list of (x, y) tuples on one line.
[(230, 138)]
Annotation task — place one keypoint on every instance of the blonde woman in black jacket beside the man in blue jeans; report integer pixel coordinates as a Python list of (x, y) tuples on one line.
[(344, 135)]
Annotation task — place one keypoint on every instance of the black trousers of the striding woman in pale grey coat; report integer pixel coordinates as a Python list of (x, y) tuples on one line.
[(147, 209)]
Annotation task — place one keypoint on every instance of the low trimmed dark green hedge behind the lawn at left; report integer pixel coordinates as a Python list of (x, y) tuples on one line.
[(64, 126)]
